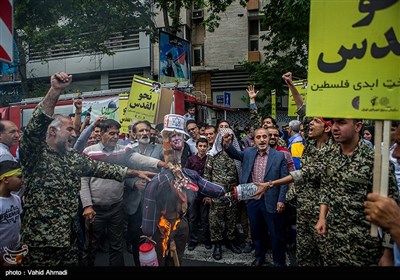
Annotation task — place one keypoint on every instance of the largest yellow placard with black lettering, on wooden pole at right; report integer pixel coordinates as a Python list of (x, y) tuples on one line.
[(354, 59)]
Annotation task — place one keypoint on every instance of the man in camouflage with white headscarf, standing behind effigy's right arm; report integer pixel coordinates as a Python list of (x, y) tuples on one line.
[(222, 170)]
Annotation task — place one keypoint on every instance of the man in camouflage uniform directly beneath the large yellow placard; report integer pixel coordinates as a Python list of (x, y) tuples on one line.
[(346, 174)]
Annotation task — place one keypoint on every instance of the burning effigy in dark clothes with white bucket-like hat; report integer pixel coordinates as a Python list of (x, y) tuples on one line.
[(168, 194)]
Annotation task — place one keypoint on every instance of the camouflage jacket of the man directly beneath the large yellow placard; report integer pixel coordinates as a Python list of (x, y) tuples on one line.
[(345, 183)]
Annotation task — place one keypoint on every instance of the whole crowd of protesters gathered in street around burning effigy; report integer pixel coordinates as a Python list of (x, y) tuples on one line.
[(83, 186)]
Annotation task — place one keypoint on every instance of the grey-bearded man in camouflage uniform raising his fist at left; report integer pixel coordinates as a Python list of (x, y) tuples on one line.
[(52, 172)]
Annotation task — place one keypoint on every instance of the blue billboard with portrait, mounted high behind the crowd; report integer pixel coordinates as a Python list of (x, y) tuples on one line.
[(174, 59)]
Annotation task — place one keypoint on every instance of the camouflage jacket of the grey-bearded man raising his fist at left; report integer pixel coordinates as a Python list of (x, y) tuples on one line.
[(52, 185)]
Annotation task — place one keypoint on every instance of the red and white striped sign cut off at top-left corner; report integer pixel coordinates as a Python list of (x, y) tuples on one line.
[(6, 31)]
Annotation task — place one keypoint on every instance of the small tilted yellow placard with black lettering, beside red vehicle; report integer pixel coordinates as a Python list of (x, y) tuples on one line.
[(143, 100)]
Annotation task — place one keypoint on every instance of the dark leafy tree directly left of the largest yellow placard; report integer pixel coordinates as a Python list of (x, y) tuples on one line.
[(287, 48)]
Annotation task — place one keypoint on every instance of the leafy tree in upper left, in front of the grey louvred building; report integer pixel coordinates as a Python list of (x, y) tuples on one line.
[(79, 25)]
